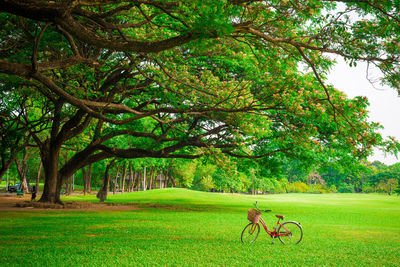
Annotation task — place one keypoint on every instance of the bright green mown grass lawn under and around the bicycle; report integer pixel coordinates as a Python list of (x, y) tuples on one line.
[(197, 228)]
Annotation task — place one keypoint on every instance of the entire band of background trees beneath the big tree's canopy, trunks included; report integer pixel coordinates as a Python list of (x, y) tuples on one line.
[(216, 173)]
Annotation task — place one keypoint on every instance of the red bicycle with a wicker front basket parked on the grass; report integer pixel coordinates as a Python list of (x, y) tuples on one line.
[(289, 232)]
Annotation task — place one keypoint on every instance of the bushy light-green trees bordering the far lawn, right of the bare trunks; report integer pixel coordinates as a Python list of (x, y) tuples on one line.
[(292, 176)]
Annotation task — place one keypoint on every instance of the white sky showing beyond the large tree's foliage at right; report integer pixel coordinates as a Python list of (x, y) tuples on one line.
[(384, 102)]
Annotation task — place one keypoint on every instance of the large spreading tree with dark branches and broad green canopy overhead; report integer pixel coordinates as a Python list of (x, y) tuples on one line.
[(183, 78)]
